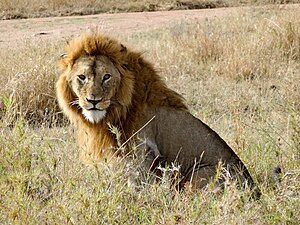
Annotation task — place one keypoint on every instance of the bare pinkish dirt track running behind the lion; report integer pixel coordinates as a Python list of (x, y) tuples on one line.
[(15, 32)]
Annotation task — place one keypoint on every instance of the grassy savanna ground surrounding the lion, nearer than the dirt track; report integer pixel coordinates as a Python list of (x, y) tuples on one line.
[(239, 73)]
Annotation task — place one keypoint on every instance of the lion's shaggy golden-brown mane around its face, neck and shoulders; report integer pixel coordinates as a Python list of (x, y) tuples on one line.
[(141, 87)]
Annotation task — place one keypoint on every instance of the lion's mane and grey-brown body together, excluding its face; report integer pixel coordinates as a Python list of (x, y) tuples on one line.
[(174, 135)]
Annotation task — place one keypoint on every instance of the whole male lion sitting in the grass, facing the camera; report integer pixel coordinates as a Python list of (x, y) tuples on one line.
[(104, 84)]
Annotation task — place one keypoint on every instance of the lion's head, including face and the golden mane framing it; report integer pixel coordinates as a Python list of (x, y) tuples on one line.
[(94, 79)]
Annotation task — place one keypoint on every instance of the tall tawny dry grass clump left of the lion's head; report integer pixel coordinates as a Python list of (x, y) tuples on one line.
[(27, 84)]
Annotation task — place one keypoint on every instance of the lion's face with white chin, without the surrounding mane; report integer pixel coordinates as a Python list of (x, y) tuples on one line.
[(95, 81)]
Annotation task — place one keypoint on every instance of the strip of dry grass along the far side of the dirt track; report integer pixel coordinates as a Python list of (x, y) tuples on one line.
[(43, 8)]
